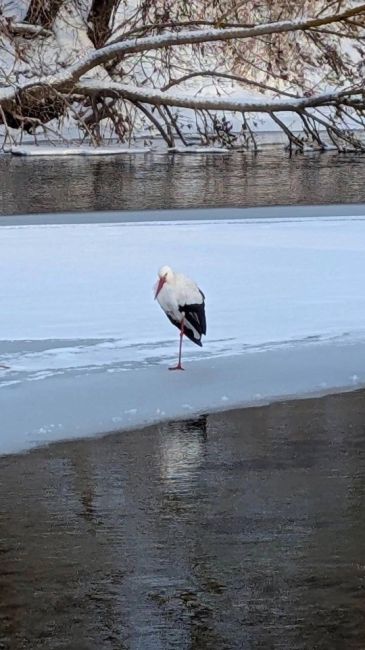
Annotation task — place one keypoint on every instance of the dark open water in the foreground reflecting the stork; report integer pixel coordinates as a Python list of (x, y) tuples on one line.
[(234, 530)]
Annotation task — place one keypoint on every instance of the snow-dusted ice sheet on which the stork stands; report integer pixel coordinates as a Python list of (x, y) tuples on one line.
[(88, 348)]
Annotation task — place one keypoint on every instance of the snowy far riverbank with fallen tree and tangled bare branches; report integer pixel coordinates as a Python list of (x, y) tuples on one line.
[(74, 71)]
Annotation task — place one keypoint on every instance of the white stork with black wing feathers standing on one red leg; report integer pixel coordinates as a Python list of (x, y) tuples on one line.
[(183, 304)]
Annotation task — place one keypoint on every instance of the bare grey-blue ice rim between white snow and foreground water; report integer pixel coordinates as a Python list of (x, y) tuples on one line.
[(82, 405)]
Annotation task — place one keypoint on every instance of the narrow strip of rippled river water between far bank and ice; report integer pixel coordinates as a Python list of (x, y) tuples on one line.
[(146, 182)]
